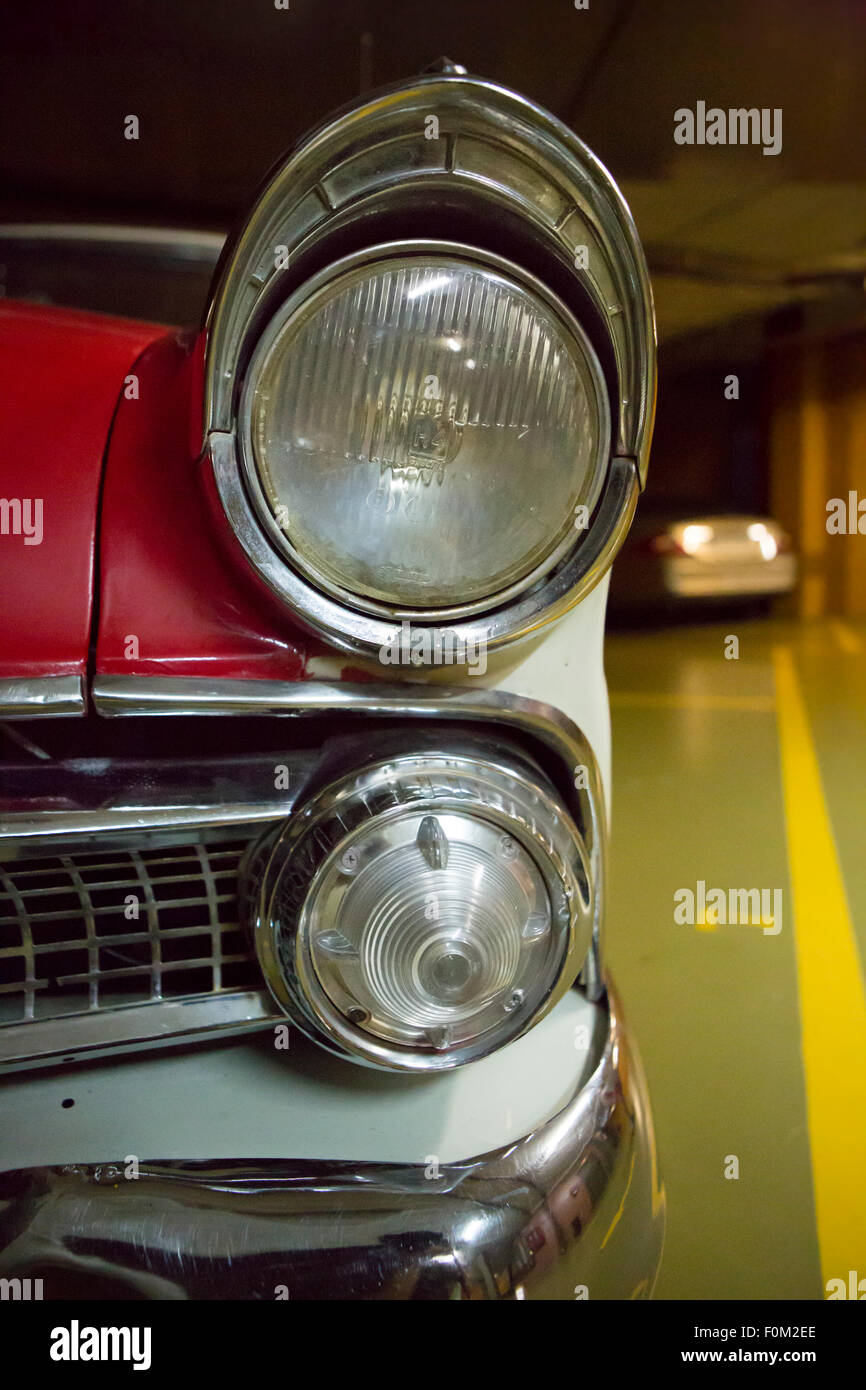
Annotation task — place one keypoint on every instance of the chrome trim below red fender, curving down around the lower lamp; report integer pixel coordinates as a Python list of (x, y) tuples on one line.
[(155, 696)]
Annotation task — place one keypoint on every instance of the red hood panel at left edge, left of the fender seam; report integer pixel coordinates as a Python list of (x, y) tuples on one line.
[(62, 375)]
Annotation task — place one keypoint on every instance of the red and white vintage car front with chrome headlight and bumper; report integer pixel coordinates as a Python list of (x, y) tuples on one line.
[(307, 769)]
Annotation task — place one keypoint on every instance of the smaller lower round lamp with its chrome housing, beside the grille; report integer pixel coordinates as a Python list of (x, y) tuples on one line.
[(423, 913)]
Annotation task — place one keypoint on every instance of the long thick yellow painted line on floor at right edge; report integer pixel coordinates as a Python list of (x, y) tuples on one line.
[(832, 997)]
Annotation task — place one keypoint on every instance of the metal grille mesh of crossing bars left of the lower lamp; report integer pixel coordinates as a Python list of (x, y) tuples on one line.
[(98, 931)]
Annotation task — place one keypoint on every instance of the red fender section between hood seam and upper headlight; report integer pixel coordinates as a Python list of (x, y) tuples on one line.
[(179, 597)]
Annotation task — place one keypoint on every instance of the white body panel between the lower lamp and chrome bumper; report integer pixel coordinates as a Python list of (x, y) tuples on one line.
[(250, 1100)]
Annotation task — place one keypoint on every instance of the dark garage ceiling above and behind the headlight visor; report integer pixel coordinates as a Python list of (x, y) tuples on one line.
[(223, 88)]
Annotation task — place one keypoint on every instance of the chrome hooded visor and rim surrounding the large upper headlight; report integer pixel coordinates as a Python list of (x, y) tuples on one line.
[(475, 170)]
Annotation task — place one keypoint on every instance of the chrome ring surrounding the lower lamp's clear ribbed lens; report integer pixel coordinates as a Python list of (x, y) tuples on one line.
[(508, 797)]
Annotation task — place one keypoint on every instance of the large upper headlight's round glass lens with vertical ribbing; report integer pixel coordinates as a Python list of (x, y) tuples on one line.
[(425, 433)]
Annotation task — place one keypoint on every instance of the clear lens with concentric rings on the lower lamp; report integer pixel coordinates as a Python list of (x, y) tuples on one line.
[(434, 931)]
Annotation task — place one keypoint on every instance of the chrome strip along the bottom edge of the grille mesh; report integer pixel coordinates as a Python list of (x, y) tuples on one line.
[(80, 1038)]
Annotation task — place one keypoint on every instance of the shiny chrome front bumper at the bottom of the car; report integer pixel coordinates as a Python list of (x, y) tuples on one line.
[(573, 1210)]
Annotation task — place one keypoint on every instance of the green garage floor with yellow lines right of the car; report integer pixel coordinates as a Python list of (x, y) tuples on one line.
[(747, 774)]
